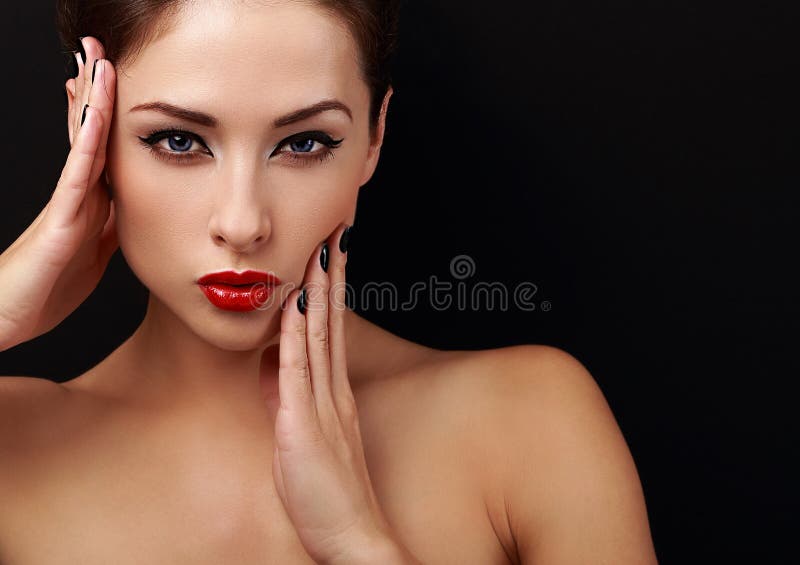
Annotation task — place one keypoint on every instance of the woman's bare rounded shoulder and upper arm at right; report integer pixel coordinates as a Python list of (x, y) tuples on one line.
[(533, 426)]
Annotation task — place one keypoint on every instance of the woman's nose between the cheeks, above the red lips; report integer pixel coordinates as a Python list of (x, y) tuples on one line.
[(239, 219)]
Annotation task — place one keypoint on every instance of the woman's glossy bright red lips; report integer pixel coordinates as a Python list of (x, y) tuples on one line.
[(238, 292)]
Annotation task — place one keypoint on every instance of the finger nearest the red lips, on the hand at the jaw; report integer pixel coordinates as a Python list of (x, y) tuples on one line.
[(294, 378)]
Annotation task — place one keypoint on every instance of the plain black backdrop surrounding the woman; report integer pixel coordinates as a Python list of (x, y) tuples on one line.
[(634, 160)]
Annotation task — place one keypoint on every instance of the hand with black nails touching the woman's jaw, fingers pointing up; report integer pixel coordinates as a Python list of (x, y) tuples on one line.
[(319, 467)]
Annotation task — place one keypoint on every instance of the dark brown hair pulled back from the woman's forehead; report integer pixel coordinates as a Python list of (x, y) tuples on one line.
[(125, 27)]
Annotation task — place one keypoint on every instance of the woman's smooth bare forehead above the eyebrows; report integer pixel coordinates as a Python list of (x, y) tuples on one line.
[(273, 55)]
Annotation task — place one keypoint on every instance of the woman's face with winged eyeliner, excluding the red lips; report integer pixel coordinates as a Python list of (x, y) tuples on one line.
[(246, 187)]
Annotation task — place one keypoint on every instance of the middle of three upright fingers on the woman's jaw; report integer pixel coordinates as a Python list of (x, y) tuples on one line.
[(317, 344)]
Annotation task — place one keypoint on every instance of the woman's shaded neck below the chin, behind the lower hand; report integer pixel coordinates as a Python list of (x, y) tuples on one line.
[(164, 365)]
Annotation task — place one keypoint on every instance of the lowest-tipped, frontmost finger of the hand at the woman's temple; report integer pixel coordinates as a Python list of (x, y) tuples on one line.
[(74, 180)]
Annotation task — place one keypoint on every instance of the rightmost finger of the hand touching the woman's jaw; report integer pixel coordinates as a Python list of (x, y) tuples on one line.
[(340, 381)]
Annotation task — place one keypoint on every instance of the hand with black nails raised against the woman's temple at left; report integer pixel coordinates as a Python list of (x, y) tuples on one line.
[(60, 258)]
